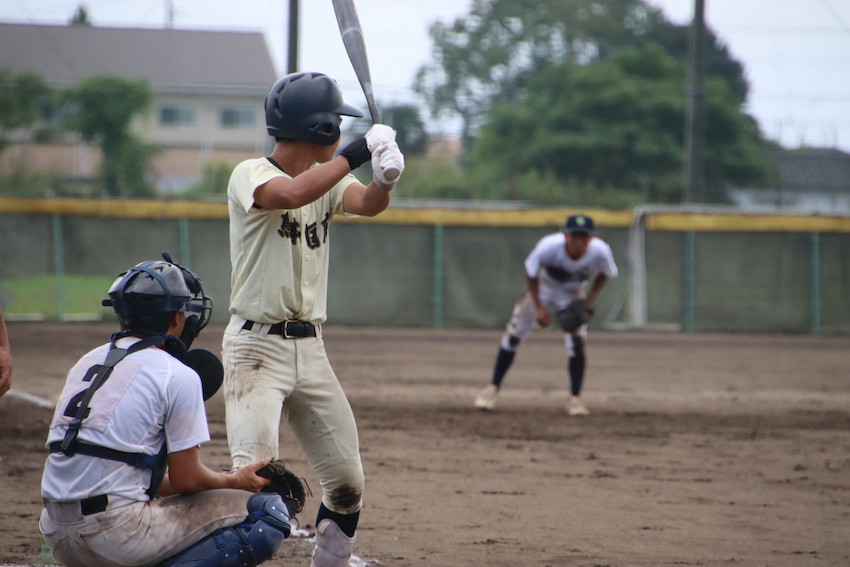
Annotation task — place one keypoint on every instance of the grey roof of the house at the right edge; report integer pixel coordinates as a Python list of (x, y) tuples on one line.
[(814, 169)]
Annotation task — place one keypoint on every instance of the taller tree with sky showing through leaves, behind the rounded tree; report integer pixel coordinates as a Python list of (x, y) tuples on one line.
[(485, 58)]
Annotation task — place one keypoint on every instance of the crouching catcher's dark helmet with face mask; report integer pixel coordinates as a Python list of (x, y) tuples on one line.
[(148, 294)]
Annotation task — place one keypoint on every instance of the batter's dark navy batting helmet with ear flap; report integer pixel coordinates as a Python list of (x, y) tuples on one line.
[(307, 107)]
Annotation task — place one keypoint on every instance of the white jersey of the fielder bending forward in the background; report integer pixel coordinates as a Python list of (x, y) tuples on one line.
[(562, 278)]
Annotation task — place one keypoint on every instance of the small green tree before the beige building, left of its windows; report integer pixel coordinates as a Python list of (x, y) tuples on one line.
[(102, 110)]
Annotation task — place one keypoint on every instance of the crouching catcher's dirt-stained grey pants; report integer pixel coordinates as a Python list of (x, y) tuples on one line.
[(141, 533)]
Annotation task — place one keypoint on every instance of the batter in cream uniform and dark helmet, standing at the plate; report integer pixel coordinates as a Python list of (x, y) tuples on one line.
[(281, 207)]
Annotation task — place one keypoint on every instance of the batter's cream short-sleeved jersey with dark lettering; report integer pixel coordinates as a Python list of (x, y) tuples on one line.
[(279, 258)]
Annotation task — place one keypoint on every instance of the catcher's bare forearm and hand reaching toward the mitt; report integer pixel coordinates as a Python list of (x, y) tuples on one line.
[(186, 475)]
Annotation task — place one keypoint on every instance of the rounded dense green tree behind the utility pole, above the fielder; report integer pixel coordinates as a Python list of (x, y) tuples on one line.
[(614, 125)]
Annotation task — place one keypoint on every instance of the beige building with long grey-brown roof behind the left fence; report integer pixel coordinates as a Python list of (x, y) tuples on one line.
[(208, 92)]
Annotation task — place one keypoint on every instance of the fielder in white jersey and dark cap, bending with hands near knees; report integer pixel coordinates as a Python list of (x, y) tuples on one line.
[(556, 272)]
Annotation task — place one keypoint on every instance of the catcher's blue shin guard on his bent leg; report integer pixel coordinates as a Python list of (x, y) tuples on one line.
[(247, 545)]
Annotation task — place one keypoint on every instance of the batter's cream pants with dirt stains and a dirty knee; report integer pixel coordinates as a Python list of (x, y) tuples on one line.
[(267, 376)]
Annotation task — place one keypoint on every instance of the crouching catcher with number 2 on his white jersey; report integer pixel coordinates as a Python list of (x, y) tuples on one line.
[(128, 408)]
